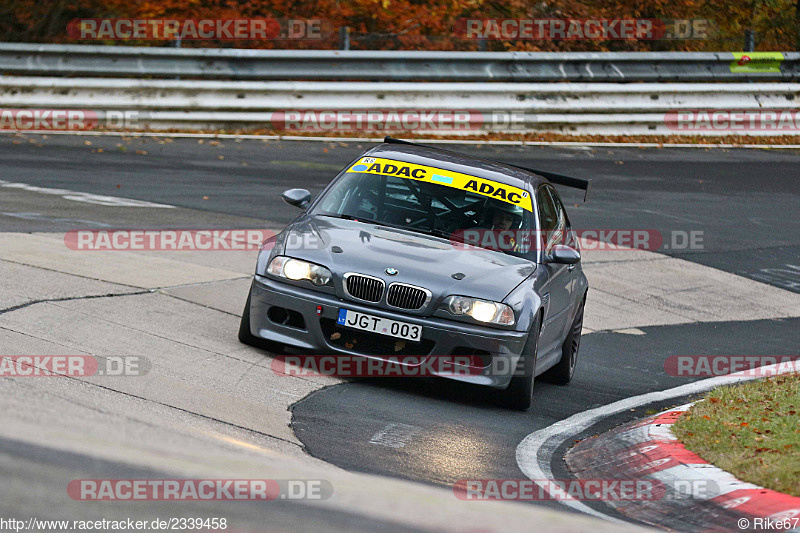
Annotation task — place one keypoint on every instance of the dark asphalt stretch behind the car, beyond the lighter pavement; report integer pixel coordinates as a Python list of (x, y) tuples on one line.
[(740, 199)]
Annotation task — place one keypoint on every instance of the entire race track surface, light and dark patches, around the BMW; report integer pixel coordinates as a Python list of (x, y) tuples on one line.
[(214, 403)]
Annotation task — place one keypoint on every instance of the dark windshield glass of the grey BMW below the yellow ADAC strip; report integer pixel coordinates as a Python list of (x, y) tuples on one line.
[(429, 208)]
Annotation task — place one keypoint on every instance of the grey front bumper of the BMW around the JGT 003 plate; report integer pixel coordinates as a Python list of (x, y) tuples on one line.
[(499, 349)]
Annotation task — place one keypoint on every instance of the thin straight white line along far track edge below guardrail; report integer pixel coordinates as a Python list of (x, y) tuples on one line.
[(380, 139)]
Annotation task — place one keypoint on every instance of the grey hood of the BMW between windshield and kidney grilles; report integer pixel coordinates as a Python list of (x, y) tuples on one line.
[(419, 259)]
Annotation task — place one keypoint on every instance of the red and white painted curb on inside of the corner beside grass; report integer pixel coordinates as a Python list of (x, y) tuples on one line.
[(697, 495)]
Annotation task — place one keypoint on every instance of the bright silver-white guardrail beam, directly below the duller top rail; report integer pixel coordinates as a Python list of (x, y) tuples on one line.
[(244, 96)]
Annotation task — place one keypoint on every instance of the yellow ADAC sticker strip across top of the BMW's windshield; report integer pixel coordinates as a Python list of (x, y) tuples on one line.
[(465, 182)]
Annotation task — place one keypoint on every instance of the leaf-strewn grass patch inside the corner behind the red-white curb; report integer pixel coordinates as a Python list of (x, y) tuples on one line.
[(750, 430)]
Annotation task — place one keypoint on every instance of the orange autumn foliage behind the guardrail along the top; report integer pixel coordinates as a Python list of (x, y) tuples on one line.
[(420, 24)]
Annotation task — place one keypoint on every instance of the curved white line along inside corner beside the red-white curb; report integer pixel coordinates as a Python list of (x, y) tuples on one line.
[(535, 452)]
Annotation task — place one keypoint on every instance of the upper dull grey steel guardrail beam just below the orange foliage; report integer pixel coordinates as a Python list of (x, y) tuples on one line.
[(332, 65)]
